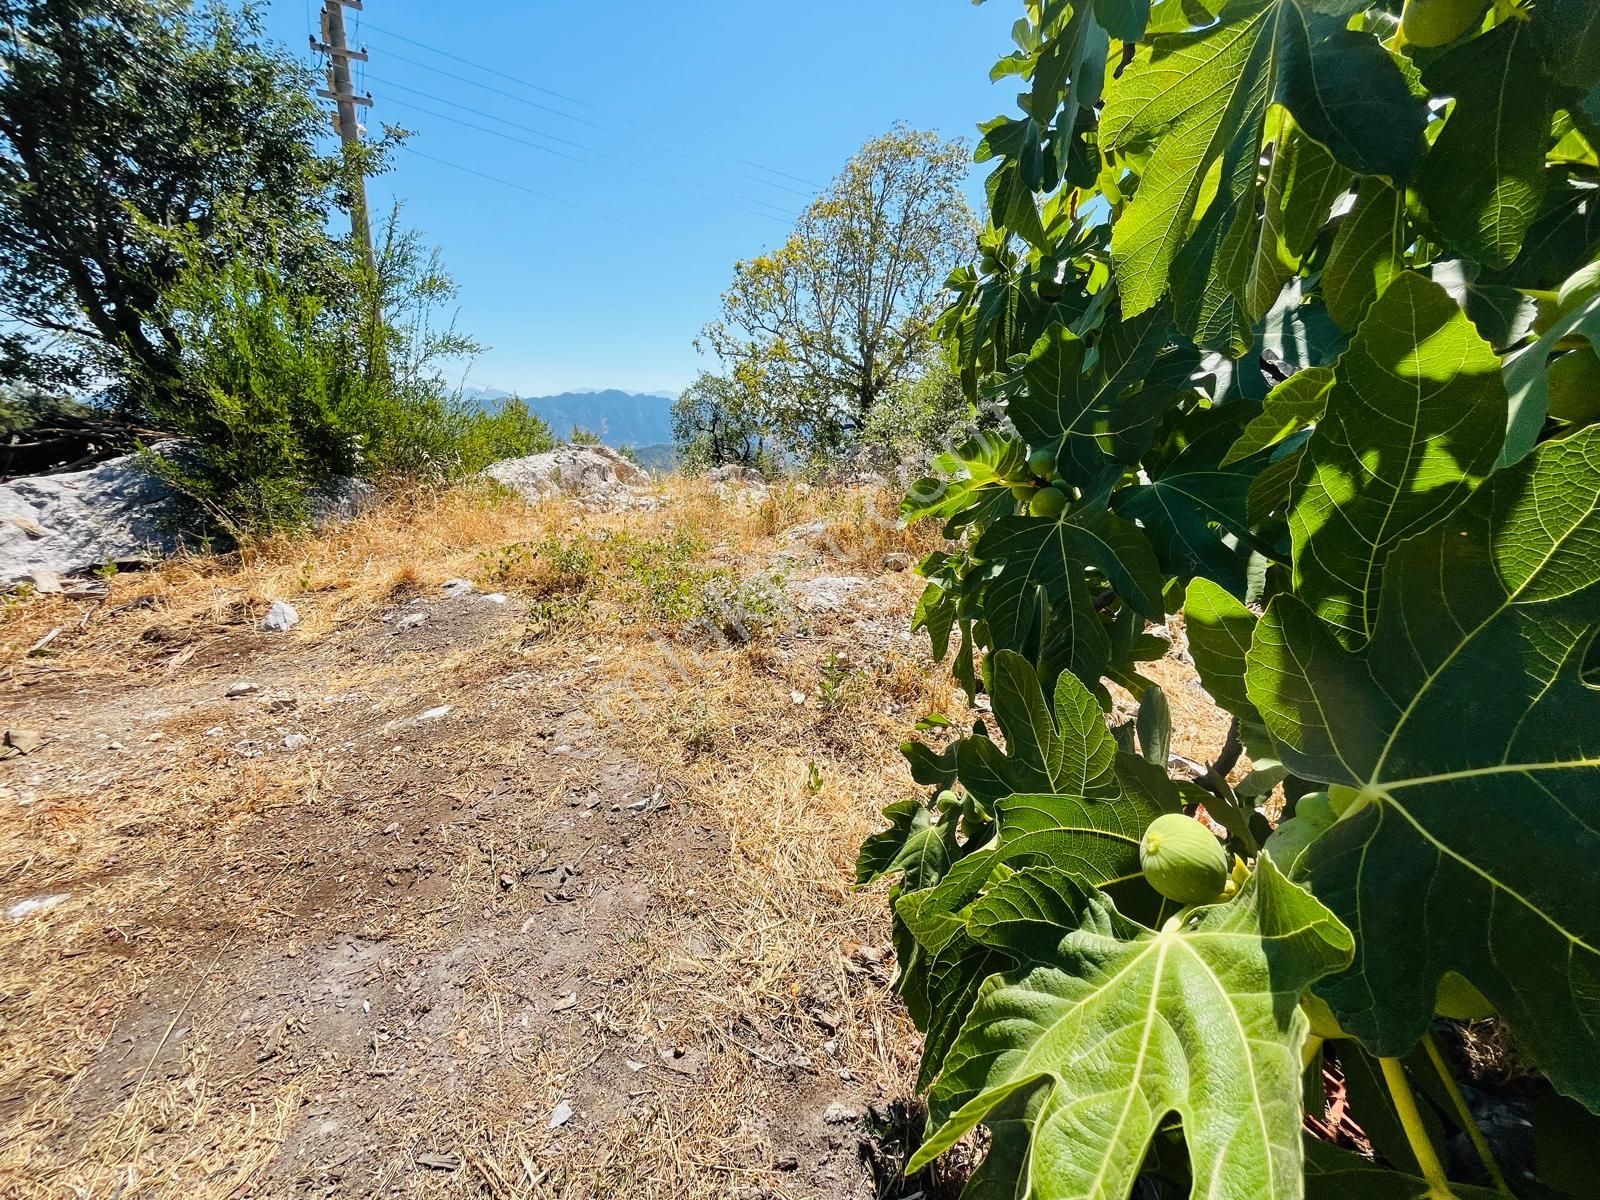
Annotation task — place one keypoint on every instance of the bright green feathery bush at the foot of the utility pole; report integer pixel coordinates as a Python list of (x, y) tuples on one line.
[(287, 390)]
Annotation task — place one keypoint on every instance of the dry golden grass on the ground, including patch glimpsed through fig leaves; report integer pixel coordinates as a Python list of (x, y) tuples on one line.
[(782, 750)]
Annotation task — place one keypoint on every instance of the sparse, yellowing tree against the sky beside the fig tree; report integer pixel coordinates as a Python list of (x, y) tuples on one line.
[(825, 327)]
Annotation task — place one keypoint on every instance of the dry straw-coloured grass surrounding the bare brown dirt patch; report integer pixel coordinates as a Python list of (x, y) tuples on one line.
[(775, 921)]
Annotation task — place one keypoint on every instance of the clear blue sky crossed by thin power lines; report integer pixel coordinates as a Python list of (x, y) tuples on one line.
[(678, 138)]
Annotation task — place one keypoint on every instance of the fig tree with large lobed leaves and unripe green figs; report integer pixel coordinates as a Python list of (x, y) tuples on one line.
[(1294, 316)]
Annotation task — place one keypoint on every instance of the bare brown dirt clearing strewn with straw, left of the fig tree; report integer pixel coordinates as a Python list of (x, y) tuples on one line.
[(406, 921)]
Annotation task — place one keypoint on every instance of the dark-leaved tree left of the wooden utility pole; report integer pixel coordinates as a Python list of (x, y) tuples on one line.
[(130, 134)]
